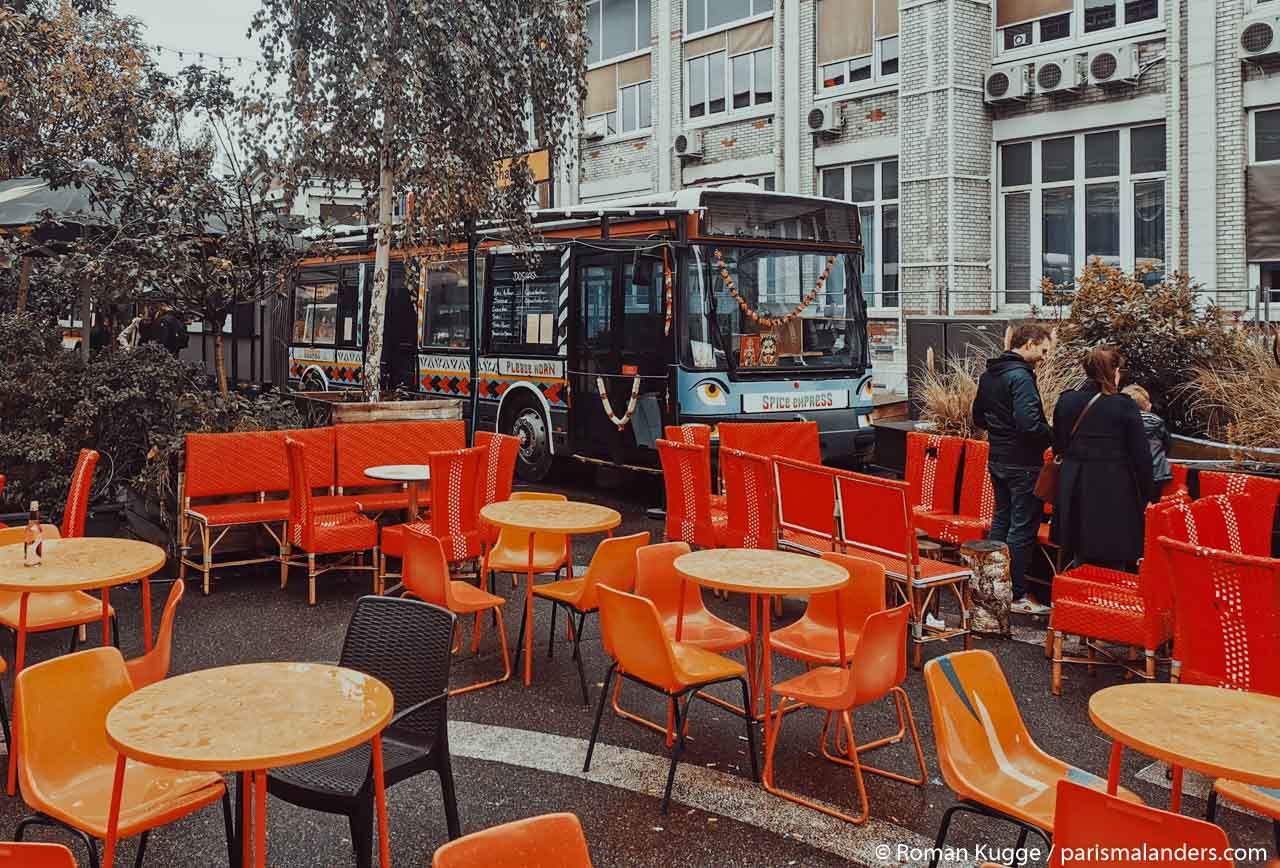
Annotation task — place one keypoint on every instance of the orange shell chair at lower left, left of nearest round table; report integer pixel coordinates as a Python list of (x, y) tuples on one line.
[(67, 768)]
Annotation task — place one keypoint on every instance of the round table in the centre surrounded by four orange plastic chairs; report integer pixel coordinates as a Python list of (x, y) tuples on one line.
[(764, 574)]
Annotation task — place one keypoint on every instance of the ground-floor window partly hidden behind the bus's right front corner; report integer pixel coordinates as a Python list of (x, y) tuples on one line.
[(874, 188)]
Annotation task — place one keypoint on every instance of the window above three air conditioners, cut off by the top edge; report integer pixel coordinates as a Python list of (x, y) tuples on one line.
[(1022, 24)]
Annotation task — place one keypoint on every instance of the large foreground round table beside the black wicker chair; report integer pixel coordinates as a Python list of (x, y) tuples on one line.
[(249, 719)]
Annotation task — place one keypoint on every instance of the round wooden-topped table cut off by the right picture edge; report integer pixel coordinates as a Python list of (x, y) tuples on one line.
[(1212, 730)]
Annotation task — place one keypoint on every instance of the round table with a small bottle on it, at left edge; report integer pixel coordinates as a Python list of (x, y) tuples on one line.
[(71, 565)]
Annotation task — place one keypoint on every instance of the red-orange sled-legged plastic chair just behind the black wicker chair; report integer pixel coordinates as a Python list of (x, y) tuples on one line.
[(427, 577)]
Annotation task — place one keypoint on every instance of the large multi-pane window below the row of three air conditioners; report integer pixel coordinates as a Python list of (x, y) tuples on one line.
[(1066, 200)]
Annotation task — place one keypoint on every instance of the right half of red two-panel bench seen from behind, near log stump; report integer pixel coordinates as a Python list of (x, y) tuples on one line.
[(881, 531)]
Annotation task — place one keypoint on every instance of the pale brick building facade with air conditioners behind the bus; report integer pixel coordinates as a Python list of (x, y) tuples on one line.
[(990, 144)]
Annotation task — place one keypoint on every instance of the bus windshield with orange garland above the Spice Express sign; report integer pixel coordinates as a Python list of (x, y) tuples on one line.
[(778, 309)]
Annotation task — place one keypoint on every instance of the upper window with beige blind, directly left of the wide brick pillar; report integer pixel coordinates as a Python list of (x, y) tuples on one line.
[(857, 43)]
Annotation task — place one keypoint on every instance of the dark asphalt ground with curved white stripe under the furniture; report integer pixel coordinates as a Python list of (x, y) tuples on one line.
[(519, 752)]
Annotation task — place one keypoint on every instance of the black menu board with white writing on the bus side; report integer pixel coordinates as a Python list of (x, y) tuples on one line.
[(524, 298)]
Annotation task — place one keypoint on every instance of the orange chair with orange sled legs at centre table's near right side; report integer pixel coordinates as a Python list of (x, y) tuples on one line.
[(879, 671)]
